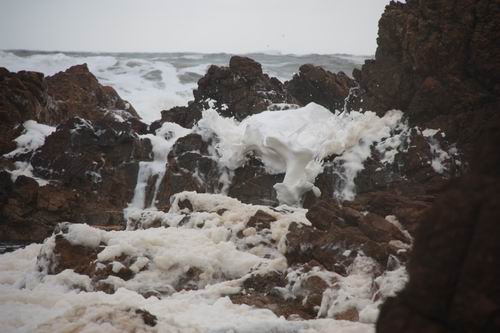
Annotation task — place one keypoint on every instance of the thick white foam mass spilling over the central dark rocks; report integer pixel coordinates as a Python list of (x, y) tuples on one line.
[(296, 141)]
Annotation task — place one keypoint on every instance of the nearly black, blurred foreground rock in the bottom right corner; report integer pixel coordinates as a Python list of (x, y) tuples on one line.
[(454, 271)]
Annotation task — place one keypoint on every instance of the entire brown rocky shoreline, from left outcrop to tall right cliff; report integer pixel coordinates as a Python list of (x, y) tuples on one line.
[(425, 198)]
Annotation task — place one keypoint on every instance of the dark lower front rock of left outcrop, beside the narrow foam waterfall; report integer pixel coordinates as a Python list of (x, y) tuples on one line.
[(92, 180)]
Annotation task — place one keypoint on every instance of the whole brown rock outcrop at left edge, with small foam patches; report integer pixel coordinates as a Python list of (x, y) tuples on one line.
[(92, 158)]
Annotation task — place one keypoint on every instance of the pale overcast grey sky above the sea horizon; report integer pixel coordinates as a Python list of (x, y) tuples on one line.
[(232, 26)]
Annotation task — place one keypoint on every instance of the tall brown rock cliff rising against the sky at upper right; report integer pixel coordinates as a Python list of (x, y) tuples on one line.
[(439, 62)]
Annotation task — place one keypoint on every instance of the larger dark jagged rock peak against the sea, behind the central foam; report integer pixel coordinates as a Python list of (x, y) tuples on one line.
[(240, 90)]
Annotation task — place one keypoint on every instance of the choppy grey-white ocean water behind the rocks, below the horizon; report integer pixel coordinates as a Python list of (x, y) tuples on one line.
[(152, 82)]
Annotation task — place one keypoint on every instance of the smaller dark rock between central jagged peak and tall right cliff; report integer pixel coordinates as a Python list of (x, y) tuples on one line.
[(315, 84)]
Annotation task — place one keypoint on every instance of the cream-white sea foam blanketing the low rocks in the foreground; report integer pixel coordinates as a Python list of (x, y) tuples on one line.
[(35, 302)]
